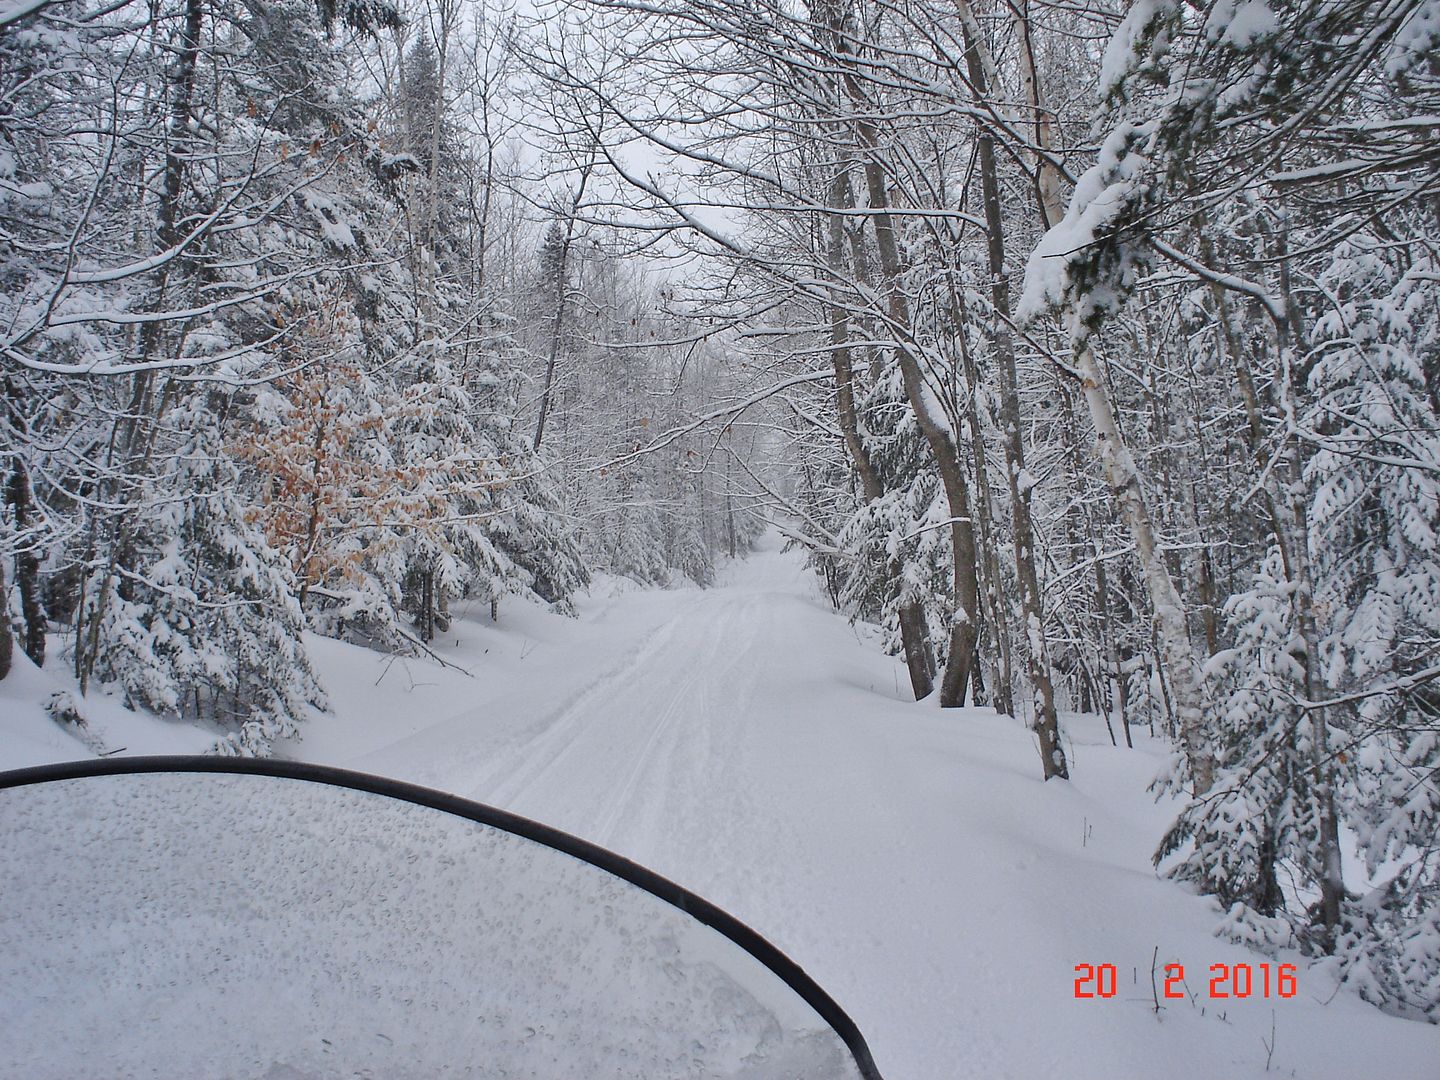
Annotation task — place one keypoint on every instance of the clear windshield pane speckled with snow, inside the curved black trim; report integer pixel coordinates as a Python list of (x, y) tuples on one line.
[(251, 927)]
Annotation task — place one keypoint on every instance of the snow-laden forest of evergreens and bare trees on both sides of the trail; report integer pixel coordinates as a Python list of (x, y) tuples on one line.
[(1089, 349)]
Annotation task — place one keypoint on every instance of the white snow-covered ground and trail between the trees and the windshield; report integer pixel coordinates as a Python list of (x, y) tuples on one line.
[(754, 747)]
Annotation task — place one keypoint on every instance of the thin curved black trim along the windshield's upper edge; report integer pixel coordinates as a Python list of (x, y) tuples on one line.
[(698, 908)]
